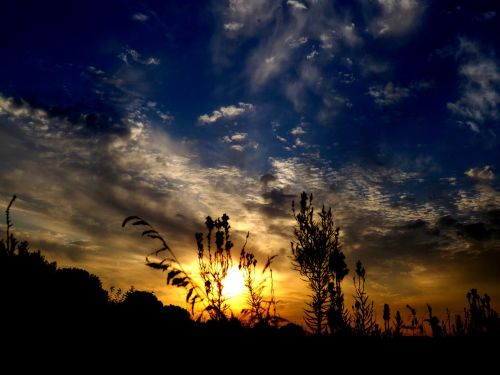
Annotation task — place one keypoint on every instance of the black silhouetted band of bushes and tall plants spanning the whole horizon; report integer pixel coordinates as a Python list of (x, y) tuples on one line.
[(41, 301)]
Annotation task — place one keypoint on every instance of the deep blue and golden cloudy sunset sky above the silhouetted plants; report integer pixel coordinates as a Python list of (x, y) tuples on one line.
[(387, 111)]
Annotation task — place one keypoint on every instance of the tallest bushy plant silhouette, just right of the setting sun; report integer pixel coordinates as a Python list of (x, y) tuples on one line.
[(313, 255)]
